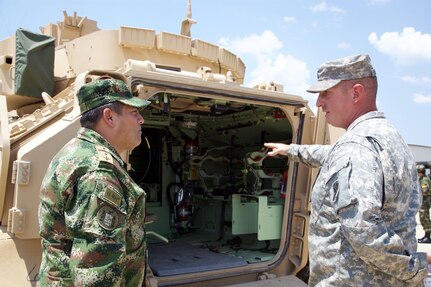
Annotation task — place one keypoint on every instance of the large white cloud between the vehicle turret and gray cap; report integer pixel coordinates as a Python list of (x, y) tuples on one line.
[(271, 64)]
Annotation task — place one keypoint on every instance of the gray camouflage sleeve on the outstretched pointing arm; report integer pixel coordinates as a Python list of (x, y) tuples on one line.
[(310, 155)]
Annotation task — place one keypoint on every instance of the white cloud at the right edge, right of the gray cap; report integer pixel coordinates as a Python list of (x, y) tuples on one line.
[(403, 47)]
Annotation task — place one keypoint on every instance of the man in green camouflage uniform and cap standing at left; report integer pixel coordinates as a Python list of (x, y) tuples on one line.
[(91, 213)]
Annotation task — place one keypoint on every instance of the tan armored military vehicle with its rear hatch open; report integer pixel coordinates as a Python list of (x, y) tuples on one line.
[(220, 211)]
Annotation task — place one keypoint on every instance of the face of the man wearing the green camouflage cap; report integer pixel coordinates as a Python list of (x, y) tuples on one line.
[(128, 128)]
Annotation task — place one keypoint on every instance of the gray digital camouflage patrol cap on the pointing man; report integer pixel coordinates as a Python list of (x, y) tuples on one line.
[(332, 73)]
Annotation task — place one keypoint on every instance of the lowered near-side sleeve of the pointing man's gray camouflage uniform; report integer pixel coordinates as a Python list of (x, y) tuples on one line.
[(356, 186)]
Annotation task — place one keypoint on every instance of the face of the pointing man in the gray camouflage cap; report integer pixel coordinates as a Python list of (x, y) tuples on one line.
[(335, 102)]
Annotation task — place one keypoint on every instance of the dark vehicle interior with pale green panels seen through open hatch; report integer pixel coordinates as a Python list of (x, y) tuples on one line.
[(215, 199)]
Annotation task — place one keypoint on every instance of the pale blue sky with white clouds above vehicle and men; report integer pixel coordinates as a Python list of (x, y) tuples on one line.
[(283, 41)]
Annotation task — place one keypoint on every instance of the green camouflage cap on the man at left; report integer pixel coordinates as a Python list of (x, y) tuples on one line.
[(105, 91)]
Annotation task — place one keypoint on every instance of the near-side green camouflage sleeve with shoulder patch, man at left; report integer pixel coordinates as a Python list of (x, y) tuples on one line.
[(96, 217)]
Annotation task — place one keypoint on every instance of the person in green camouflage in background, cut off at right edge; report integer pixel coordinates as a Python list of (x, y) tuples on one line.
[(424, 212)]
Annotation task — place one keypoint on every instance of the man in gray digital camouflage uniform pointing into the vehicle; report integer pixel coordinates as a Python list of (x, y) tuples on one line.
[(366, 196)]
